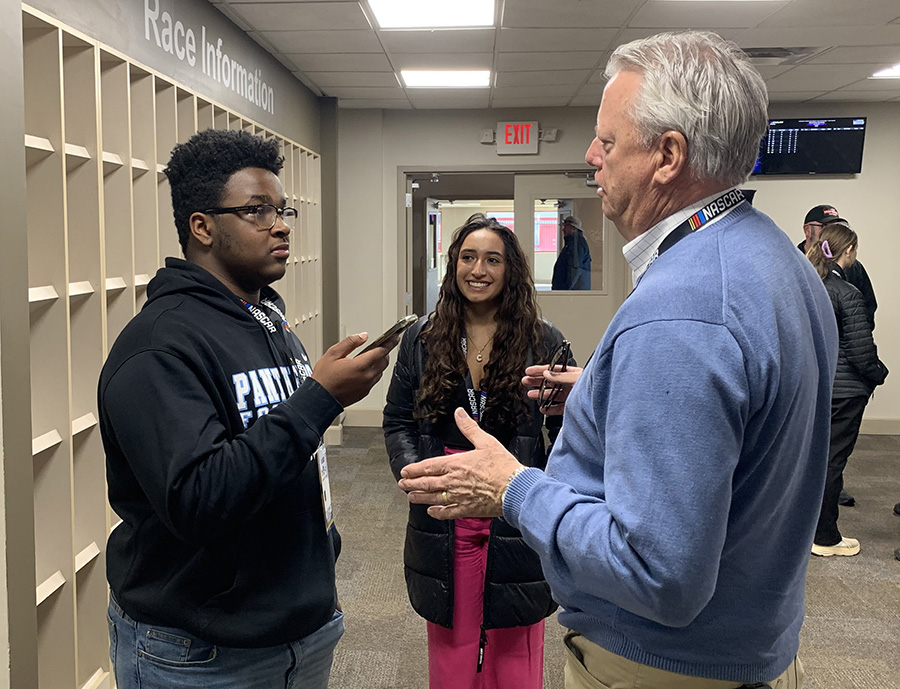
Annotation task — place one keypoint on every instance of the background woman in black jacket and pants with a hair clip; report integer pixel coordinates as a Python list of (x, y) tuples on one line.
[(859, 371)]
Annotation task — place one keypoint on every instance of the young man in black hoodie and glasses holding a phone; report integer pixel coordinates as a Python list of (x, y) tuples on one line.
[(222, 570)]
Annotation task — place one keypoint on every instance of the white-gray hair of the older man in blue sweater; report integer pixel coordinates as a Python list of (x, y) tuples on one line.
[(699, 84)]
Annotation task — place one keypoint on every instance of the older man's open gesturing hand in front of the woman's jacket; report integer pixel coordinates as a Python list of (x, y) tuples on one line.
[(468, 484)]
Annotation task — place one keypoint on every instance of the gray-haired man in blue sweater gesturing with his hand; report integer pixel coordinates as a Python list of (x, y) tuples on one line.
[(685, 484)]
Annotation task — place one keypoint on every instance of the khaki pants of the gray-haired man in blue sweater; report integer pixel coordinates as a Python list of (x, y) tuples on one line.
[(588, 666)]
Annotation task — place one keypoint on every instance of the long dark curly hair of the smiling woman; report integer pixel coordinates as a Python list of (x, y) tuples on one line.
[(520, 331)]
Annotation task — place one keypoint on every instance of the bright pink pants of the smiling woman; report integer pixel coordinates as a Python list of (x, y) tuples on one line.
[(513, 657)]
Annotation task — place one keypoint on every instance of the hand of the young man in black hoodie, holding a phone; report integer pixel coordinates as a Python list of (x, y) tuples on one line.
[(350, 379)]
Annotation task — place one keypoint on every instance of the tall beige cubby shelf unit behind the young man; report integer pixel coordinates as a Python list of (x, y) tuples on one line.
[(99, 227)]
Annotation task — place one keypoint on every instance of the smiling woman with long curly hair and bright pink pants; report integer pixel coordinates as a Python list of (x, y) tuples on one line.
[(475, 581)]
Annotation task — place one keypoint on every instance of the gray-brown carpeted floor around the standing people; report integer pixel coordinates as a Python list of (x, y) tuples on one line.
[(850, 639)]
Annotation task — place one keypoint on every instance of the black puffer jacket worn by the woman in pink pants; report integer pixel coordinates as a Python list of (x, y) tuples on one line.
[(515, 592)]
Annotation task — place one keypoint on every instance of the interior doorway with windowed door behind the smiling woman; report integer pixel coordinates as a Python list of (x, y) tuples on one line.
[(534, 206)]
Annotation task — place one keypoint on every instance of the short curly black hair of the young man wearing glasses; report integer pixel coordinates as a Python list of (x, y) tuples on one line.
[(199, 169)]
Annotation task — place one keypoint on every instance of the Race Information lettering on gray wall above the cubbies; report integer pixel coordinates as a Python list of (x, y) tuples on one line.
[(171, 35)]
